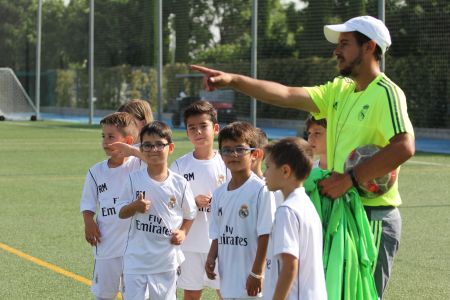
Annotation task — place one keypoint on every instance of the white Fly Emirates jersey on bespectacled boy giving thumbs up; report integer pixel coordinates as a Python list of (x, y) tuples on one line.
[(148, 249)]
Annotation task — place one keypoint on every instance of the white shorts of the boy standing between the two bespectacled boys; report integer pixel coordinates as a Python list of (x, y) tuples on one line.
[(192, 273)]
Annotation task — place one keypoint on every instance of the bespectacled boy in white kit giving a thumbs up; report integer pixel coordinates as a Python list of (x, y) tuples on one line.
[(160, 216)]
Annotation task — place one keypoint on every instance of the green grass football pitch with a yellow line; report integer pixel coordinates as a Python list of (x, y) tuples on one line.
[(42, 171)]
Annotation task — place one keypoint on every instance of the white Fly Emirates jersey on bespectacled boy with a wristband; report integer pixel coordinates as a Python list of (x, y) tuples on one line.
[(239, 217)]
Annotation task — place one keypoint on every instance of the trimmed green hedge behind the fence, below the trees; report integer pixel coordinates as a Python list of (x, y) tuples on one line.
[(424, 79)]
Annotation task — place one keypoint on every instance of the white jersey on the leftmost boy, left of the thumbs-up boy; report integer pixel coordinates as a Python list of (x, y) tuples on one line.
[(102, 189)]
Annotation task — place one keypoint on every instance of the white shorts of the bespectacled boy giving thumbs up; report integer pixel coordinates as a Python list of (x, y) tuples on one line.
[(161, 286)]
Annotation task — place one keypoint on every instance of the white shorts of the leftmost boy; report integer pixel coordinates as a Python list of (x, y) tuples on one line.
[(107, 277)]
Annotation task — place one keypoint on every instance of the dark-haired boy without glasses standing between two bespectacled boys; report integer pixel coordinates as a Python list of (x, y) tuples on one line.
[(205, 171)]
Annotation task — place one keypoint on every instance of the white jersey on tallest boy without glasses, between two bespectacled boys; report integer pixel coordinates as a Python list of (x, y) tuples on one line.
[(204, 176)]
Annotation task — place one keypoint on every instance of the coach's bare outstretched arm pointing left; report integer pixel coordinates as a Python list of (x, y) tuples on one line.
[(266, 91)]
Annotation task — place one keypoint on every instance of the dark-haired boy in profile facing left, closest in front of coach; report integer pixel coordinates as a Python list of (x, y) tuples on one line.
[(294, 265)]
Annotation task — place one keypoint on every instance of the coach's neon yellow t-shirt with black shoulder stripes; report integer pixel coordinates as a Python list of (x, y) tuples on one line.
[(354, 119)]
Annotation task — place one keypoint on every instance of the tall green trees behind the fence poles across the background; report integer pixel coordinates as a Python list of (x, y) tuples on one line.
[(218, 33)]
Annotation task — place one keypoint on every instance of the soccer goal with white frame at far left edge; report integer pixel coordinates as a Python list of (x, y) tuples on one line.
[(15, 104)]
